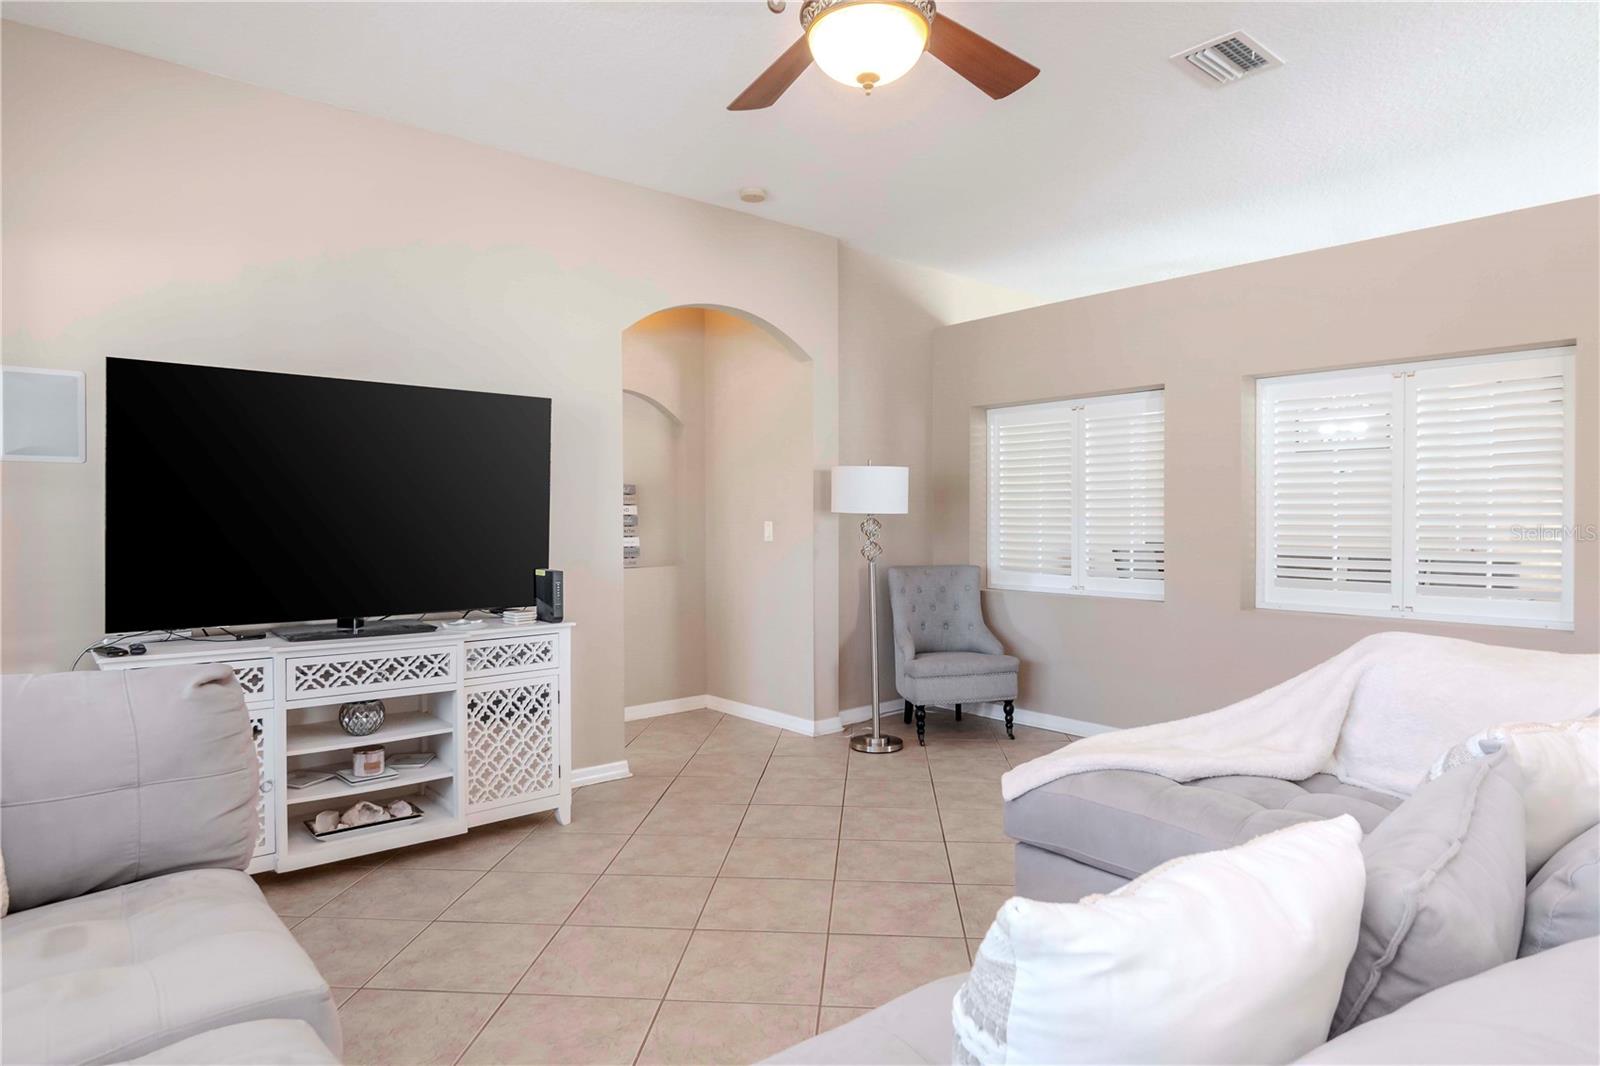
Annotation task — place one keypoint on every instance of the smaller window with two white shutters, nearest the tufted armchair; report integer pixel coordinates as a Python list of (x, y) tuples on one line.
[(1076, 497)]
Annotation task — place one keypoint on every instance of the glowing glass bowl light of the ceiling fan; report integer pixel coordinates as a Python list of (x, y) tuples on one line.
[(865, 44)]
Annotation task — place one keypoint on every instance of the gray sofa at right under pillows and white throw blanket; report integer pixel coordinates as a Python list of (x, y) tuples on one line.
[(1095, 832)]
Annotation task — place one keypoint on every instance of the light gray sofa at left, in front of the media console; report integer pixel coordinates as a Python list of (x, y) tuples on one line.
[(127, 819)]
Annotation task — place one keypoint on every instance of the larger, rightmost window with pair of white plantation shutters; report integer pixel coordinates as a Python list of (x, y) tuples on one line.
[(1436, 491)]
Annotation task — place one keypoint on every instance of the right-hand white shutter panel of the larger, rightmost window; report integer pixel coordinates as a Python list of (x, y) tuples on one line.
[(1489, 491)]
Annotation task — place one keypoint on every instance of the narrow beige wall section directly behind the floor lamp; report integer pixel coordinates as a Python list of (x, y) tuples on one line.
[(887, 316)]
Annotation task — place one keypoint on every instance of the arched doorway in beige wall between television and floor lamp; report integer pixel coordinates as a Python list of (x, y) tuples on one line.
[(719, 529)]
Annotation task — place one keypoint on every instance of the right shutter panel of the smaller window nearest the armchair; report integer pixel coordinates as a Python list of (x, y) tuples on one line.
[(1124, 486)]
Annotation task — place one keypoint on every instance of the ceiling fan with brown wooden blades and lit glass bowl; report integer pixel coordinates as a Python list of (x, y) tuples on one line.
[(873, 42)]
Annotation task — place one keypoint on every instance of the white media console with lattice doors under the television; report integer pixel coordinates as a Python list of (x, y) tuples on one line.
[(492, 702)]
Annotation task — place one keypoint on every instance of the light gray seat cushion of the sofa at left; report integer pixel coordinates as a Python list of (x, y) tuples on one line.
[(126, 972)]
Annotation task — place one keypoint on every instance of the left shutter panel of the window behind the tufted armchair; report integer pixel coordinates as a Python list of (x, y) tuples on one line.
[(1033, 494)]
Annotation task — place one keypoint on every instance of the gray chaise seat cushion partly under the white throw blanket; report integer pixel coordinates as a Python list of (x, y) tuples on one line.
[(1127, 824)]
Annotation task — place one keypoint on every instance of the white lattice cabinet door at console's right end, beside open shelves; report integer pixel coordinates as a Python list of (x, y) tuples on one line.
[(513, 745)]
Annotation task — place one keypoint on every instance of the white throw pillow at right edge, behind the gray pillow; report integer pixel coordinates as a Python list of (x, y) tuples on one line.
[(1561, 777)]
